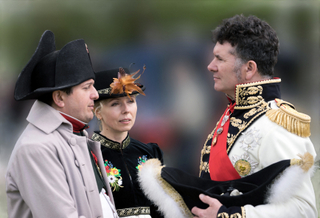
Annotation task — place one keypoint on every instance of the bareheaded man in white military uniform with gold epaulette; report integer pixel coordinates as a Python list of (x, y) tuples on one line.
[(257, 128)]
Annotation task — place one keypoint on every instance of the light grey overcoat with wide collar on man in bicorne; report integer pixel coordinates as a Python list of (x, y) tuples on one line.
[(50, 173)]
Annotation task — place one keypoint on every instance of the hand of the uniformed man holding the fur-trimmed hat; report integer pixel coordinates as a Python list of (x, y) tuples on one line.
[(211, 211)]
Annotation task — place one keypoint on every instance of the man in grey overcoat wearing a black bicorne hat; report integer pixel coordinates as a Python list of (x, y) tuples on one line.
[(55, 170)]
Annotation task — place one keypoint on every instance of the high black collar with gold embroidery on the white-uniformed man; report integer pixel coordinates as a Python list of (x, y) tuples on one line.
[(249, 95)]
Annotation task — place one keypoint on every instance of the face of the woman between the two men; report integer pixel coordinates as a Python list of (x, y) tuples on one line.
[(118, 115)]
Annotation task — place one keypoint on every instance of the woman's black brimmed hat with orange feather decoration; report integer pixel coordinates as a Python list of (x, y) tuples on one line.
[(106, 79)]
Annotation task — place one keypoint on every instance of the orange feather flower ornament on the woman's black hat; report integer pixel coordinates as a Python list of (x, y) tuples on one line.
[(125, 83)]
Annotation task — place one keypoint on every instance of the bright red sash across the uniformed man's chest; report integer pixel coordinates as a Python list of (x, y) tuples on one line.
[(221, 168)]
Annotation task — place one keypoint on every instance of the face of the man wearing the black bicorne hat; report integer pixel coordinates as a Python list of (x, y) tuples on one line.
[(79, 104)]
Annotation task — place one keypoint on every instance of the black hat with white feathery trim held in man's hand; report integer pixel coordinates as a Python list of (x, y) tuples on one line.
[(175, 191)]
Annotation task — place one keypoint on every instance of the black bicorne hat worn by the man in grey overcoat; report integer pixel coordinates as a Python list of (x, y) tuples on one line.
[(49, 70)]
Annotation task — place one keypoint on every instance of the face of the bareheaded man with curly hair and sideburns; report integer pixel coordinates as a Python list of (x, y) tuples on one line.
[(226, 68)]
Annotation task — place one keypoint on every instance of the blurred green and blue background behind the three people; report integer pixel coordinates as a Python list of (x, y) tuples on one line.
[(173, 40)]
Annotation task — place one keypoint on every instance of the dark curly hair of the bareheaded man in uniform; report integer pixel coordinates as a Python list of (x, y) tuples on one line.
[(254, 40)]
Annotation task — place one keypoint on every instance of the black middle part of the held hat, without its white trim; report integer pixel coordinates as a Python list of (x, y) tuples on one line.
[(253, 188)]
